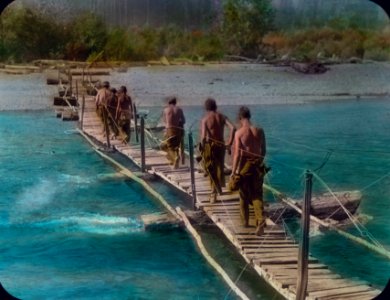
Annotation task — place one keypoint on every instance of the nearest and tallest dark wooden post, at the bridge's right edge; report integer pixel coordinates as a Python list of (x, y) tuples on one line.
[(303, 258)]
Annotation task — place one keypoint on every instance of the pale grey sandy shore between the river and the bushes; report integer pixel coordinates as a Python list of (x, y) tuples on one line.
[(230, 84)]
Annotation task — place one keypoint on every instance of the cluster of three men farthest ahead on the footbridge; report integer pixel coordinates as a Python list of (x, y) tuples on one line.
[(115, 109)]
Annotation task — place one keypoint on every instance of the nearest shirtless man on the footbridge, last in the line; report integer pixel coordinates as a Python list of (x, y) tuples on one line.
[(249, 149)]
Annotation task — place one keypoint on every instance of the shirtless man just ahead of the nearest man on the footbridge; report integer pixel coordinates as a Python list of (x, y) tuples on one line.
[(213, 146)]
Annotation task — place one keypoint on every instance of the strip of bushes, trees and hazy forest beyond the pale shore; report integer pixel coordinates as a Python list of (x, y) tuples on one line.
[(200, 30)]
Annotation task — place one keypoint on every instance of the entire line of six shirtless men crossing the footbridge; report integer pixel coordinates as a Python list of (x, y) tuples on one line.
[(247, 144)]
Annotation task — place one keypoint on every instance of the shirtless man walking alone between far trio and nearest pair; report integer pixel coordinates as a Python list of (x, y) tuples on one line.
[(174, 120)]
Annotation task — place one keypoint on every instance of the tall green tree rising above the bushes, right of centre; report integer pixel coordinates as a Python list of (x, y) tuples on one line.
[(245, 22)]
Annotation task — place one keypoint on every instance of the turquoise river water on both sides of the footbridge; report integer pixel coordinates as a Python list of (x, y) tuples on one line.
[(68, 232)]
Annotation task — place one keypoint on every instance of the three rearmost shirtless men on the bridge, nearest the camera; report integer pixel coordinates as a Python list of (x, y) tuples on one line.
[(248, 147)]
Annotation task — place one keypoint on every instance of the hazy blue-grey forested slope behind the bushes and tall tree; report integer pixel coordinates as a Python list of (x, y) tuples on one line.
[(202, 13)]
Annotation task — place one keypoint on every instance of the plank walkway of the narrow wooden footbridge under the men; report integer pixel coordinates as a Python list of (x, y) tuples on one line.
[(274, 255)]
